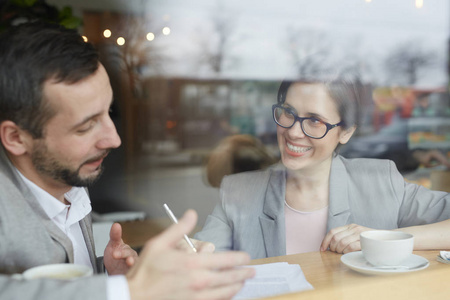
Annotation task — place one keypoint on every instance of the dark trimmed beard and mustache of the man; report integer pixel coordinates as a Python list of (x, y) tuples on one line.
[(48, 165)]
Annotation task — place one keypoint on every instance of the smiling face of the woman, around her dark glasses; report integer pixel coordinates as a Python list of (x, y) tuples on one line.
[(299, 151)]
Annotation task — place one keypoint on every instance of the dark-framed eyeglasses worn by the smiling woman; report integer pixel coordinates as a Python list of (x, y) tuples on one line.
[(312, 127)]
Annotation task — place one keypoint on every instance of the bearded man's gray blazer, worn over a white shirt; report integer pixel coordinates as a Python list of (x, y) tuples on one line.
[(28, 238)]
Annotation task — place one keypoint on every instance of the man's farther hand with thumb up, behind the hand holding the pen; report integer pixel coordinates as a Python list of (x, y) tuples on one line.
[(118, 256)]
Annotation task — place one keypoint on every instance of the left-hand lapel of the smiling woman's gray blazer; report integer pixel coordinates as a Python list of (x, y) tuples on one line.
[(272, 222)]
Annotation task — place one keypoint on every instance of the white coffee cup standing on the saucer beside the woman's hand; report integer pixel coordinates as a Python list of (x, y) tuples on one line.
[(386, 248)]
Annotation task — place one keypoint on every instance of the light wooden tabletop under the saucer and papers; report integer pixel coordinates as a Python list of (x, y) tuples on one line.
[(331, 279)]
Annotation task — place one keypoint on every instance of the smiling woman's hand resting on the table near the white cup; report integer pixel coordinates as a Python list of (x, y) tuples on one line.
[(343, 239)]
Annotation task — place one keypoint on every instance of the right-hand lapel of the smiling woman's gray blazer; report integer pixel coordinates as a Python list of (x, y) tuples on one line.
[(339, 209)]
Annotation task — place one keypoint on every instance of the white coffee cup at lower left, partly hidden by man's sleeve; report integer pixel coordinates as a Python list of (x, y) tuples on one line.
[(58, 271)]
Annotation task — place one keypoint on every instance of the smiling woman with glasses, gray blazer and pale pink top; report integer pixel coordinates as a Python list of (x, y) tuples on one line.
[(317, 200)]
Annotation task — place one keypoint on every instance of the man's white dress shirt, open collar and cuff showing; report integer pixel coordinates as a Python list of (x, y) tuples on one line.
[(67, 218)]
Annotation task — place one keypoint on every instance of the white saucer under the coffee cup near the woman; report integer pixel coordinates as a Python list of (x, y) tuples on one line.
[(357, 262)]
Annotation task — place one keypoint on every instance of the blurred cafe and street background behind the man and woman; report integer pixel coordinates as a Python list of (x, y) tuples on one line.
[(188, 74)]
